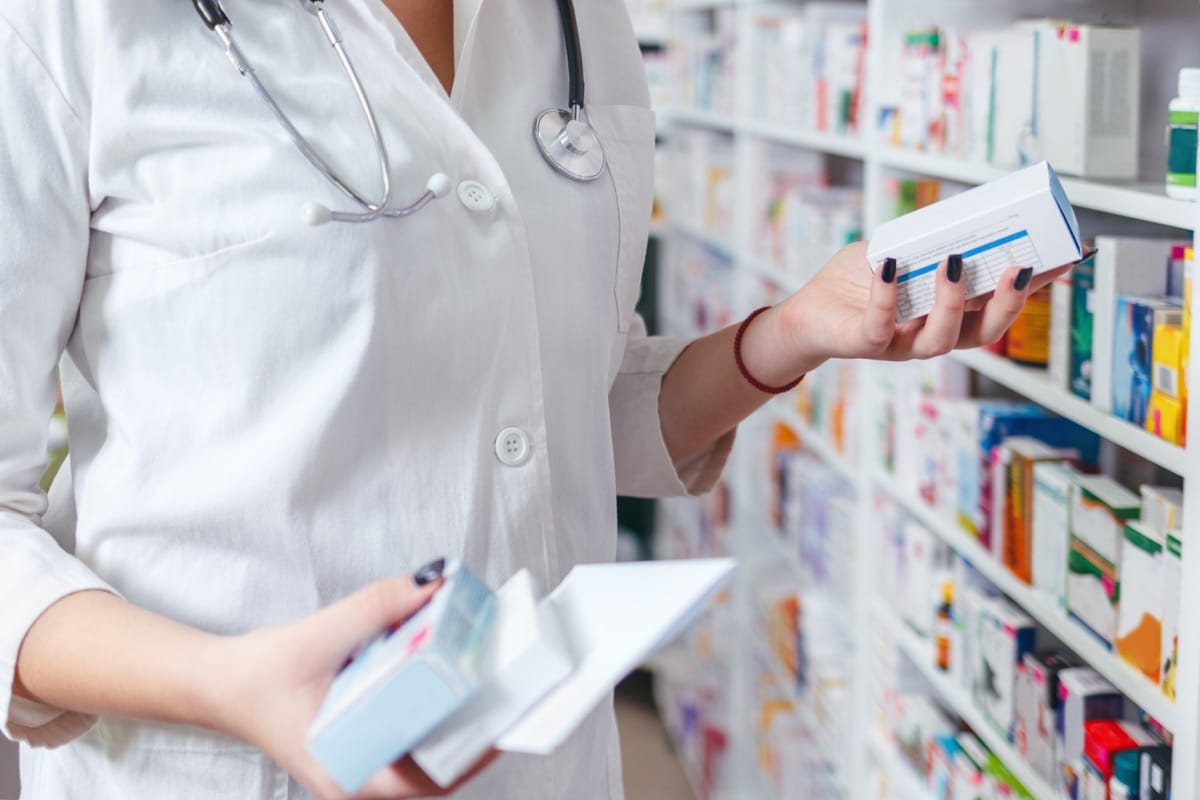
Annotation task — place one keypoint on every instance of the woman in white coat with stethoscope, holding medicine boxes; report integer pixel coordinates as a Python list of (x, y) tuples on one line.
[(284, 394)]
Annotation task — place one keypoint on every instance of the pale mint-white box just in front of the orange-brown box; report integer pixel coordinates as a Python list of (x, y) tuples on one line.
[(1052, 527)]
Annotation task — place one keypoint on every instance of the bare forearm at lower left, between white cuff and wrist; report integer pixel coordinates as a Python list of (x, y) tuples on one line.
[(97, 654)]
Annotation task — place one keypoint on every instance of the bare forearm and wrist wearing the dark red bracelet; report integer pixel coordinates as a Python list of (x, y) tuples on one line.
[(705, 395)]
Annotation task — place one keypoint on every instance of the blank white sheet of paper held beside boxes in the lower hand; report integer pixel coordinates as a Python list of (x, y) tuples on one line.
[(615, 616)]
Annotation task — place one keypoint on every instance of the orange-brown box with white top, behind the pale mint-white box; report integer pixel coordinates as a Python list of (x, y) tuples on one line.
[(1019, 456)]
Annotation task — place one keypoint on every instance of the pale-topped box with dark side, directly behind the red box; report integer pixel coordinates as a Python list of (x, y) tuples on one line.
[(1083, 696)]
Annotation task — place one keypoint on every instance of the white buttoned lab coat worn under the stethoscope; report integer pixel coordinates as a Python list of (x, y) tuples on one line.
[(267, 417)]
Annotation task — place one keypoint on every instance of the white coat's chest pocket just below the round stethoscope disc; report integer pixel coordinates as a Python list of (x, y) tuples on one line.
[(627, 134)]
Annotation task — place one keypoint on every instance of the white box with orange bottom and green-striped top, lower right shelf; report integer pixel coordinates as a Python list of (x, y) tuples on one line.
[(1139, 640)]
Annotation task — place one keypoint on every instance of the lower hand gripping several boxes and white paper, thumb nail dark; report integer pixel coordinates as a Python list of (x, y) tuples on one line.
[(278, 679)]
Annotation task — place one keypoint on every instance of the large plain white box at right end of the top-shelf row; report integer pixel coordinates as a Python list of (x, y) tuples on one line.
[(1089, 85)]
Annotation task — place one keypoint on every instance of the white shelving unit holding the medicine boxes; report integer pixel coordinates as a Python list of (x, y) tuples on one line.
[(1171, 29)]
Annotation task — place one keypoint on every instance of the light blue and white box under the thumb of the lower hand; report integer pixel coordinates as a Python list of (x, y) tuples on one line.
[(405, 684)]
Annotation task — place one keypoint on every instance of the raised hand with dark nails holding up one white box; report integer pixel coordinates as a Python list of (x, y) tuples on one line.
[(849, 312)]
